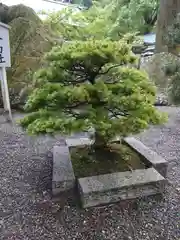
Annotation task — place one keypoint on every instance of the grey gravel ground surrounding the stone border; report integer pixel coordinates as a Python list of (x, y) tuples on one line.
[(28, 212)]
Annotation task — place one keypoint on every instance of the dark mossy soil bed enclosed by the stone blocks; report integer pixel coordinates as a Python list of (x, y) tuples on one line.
[(118, 158)]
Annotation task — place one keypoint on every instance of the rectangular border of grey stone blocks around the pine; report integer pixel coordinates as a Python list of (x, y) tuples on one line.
[(109, 188)]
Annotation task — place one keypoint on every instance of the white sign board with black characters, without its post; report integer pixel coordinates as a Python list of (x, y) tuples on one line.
[(5, 57)]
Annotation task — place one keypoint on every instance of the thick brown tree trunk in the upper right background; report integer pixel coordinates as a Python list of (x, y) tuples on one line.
[(167, 13)]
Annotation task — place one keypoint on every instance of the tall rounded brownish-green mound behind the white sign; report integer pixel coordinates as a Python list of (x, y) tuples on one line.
[(29, 40)]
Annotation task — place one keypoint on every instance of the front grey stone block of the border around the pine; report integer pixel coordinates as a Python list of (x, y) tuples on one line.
[(111, 188)]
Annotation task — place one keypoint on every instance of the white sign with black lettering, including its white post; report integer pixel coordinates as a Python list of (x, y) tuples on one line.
[(5, 61)]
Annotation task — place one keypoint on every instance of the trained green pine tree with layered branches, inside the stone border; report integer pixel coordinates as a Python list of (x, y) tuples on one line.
[(91, 85)]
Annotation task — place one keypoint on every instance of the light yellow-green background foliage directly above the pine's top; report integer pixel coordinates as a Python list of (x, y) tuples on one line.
[(79, 25)]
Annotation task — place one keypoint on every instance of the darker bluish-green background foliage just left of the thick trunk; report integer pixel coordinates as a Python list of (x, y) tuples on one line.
[(134, 16)]
